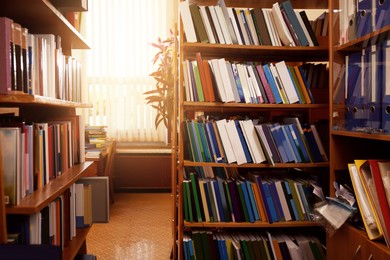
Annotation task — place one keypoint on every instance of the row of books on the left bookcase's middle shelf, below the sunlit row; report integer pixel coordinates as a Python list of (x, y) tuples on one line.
[(33, 154)]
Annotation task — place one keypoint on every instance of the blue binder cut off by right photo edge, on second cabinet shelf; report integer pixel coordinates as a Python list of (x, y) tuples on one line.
[(385, 84)]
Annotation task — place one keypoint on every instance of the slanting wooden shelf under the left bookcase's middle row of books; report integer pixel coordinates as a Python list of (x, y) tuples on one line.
[(35, 202)]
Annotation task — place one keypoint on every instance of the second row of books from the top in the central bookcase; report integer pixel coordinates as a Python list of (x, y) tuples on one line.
[(272, 83)]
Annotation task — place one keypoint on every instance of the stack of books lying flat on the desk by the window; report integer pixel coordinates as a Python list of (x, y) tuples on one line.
[(95, 141)]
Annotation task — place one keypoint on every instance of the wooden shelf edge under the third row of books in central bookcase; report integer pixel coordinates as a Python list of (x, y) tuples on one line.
[(258, 165)]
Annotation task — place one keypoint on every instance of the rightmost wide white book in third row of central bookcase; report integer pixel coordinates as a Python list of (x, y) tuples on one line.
[(253, 141)]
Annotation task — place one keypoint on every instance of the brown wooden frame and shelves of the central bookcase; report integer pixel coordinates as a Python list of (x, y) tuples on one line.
[(188, 110)]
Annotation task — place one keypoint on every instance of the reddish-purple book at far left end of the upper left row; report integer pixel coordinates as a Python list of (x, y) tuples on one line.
[(5, 55)]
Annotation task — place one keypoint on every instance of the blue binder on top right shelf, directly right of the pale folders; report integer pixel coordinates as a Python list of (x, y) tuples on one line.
[(364, 17)]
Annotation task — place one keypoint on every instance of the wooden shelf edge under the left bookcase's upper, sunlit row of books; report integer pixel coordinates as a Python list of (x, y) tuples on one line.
[(39, 100)]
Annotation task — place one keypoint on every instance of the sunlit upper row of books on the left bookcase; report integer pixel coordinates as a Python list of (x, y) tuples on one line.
[(35, 64)]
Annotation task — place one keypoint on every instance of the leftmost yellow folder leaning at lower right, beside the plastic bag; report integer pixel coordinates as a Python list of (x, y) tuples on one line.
[(366, 208)]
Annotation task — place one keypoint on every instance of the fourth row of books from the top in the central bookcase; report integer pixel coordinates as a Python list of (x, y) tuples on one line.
[(249, 198)]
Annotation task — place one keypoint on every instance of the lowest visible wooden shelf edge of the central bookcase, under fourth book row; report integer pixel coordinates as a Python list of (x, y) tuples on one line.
[(251, 225)]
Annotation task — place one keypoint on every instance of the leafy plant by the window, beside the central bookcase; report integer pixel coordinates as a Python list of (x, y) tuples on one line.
[(161, 98)]
